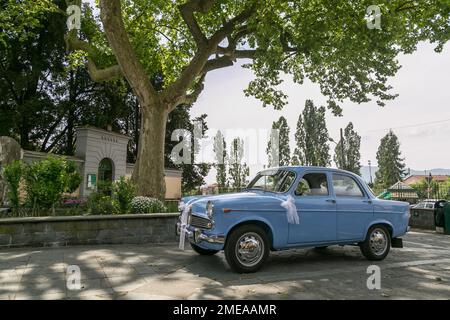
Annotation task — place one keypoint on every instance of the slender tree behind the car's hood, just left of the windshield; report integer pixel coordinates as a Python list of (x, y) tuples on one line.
[(238, 171)]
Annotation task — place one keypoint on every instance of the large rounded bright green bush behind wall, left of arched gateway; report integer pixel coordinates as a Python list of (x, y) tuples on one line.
[(47, 180)]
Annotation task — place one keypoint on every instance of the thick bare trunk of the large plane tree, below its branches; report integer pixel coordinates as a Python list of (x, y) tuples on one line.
[(148, 172)]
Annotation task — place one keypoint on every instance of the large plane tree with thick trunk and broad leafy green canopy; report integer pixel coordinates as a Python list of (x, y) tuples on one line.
[(182, 41)]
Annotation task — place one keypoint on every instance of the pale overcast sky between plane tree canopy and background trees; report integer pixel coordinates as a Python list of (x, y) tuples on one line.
[(423, 85)]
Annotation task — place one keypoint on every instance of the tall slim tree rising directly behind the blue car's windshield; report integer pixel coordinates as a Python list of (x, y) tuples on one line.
[(284, 151)]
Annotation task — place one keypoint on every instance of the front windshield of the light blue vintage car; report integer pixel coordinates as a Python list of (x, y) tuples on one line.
[(273, 181)]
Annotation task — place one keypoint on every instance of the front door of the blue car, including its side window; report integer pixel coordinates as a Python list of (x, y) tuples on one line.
[(316, 209)]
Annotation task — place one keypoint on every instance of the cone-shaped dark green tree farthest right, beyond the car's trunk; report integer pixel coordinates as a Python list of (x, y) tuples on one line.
[(391, 167)]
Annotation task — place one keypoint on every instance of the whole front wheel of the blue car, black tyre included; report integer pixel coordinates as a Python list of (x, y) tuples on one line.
[(247, 248)]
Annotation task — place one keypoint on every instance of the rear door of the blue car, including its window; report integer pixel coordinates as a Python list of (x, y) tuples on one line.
[(354, 208)]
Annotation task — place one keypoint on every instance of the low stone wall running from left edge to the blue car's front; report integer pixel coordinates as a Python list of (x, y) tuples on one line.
[(82, 230)]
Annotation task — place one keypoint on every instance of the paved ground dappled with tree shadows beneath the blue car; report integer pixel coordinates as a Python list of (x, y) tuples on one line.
[(421, 270)]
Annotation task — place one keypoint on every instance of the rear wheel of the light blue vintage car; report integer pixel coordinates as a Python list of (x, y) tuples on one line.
[(377, 244)]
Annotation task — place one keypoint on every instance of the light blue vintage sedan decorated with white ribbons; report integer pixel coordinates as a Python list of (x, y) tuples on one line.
[(292, 207)]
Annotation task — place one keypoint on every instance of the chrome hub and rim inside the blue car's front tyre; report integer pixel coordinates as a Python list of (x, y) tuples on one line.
[(249, 249)]
